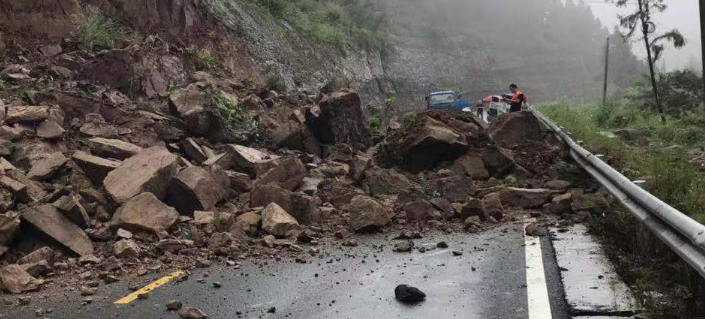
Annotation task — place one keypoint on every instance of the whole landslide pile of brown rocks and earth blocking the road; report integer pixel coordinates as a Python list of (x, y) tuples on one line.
[(96, 184)]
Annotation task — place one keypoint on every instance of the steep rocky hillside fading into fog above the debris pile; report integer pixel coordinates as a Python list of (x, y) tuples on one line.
[(428, 46)]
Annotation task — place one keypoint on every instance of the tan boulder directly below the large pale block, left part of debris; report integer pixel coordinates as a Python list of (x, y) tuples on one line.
[(144, 212)]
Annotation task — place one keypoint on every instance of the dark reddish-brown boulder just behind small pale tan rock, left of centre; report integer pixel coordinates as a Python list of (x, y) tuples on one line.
[(301, 206)]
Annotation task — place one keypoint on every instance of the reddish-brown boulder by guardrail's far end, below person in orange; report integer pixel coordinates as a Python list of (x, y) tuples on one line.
[(513, 129)]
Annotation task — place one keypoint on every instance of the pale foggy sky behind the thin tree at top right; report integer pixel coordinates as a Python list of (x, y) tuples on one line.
[(681, 14)]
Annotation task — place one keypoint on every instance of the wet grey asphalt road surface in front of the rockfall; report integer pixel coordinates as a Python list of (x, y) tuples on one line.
[(487, 281)]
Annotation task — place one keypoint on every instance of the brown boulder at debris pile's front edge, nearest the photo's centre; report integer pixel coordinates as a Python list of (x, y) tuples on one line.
[(366, 214)]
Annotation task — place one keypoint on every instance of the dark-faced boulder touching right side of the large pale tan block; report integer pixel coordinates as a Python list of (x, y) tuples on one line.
[(194, 189)]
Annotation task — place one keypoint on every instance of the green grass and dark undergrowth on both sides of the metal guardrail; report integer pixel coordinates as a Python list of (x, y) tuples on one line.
[(663, 282)]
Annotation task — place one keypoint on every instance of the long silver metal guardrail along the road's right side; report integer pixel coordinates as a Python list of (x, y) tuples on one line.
[(685, 236)]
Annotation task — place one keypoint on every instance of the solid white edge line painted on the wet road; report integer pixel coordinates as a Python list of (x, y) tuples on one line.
[(536, 290)]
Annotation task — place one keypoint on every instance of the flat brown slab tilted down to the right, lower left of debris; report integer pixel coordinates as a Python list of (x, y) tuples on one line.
[(51, 222)]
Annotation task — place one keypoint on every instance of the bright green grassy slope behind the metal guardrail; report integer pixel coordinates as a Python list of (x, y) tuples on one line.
[(663, 162)]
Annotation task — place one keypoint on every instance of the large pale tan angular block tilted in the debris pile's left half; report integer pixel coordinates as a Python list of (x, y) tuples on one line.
[(148, 171)]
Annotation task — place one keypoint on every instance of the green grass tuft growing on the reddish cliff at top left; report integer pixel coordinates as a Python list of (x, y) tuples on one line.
[(102, 33)]
